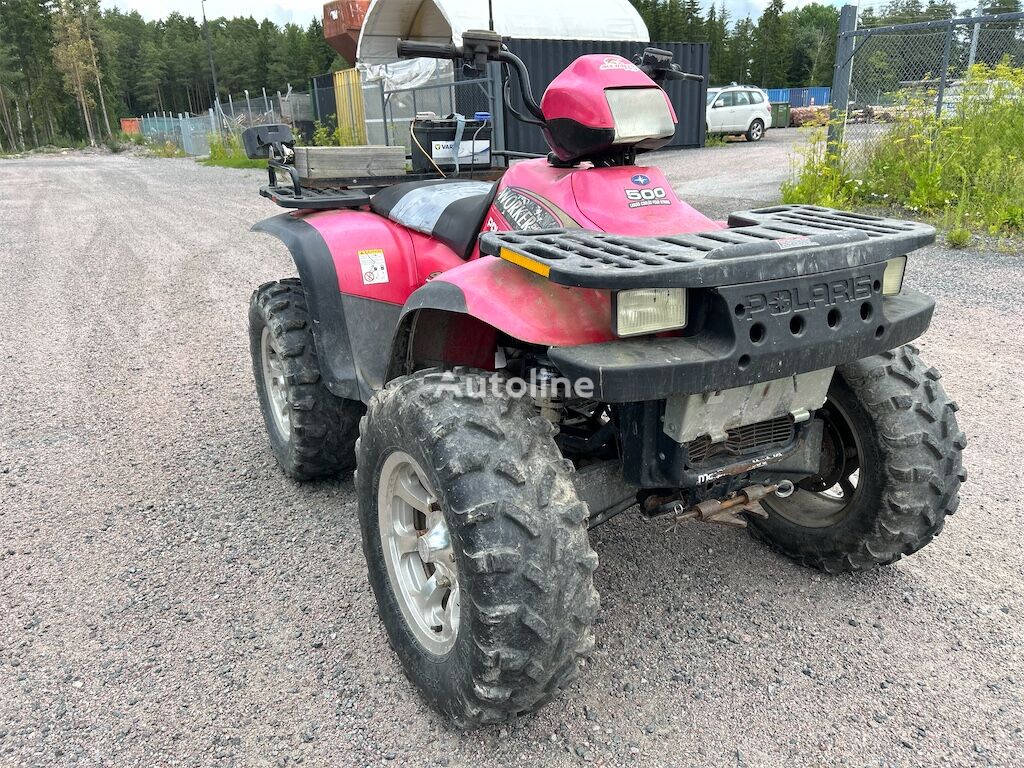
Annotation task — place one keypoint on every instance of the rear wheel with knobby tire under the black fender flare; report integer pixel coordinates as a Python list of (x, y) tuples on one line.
[(313, 433)]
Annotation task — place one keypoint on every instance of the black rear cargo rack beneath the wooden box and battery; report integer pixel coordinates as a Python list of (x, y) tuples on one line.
[(351, 192)]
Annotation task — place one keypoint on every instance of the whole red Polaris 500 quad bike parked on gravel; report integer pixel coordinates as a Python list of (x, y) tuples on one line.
[(509, 364)]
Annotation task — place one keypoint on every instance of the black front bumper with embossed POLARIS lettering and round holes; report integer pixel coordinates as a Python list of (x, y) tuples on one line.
[(742, 335)]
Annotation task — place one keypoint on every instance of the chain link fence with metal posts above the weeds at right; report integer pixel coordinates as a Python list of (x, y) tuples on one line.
[(888, 69)]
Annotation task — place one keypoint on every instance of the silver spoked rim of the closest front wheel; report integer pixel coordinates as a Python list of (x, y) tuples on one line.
[(418, 553)]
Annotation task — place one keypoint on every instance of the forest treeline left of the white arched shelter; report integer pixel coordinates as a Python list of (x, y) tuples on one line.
[(69, 71)]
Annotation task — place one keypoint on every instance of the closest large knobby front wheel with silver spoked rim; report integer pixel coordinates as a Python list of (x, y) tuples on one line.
[(492, 495)]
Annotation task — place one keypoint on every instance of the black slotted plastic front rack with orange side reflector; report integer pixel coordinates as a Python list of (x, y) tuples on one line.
[(759, 245)]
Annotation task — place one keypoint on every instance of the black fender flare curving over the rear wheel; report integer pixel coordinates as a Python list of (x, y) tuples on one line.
[(320, 282)]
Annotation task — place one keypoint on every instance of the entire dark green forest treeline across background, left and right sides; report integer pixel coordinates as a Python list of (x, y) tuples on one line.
[(69, 70)]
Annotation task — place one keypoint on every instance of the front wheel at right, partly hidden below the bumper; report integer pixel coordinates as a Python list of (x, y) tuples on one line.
[(891, 474)]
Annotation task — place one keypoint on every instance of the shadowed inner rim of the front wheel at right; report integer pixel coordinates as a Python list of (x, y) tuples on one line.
[(826, 499)]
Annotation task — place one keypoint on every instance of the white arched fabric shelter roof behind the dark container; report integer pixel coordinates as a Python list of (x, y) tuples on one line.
[(445, 21)]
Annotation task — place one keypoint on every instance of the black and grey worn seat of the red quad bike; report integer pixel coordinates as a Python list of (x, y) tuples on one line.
[(449, 210)]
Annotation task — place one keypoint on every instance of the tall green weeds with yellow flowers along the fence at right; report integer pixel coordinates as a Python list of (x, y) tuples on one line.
[(963, 169)]
